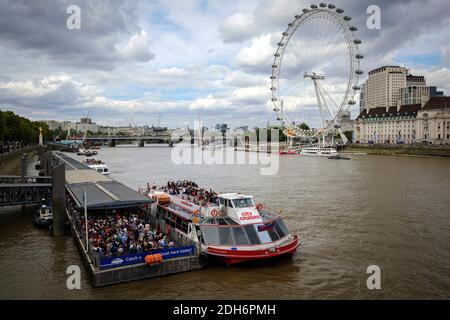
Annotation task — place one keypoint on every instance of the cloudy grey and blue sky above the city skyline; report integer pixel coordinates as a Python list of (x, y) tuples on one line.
[(134, 60)]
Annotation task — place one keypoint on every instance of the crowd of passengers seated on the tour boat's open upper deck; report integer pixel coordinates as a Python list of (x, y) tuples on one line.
[(189, 189)]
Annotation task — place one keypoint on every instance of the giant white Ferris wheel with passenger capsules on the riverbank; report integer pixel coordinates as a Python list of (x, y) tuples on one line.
[(316, 71)]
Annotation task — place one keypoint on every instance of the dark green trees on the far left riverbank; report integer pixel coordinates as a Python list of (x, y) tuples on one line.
[(16, 128)]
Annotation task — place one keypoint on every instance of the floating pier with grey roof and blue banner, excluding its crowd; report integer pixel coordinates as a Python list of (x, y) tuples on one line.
[(103, 195)]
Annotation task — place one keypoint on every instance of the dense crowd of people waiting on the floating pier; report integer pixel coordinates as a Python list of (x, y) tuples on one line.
[(122, 232)]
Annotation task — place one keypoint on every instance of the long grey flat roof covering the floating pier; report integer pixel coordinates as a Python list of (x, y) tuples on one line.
[(102, 192)]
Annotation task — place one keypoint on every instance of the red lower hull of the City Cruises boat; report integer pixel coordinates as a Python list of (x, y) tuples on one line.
[(236, 256)]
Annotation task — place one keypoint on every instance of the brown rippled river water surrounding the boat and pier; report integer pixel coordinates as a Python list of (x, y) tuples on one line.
[(389, 211)]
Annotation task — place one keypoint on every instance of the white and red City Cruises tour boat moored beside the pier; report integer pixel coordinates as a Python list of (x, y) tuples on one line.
[(232, 230)]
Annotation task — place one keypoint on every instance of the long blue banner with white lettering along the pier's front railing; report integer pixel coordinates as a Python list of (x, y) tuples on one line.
[(129, 259)]
